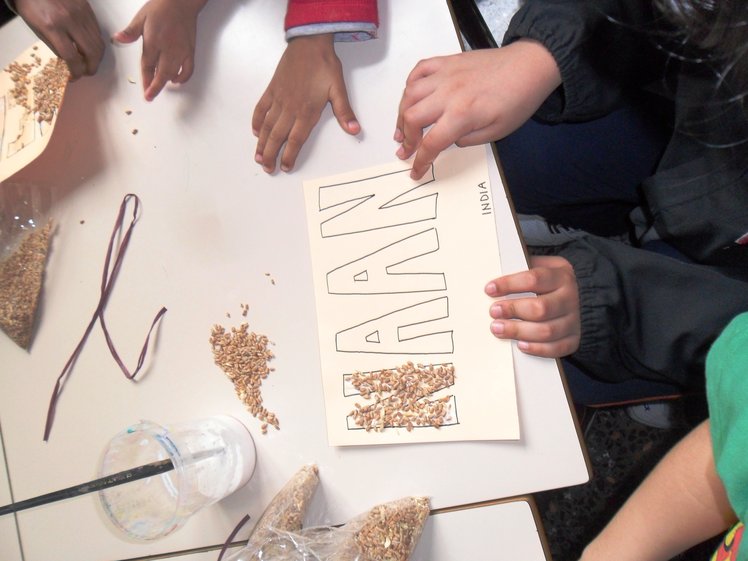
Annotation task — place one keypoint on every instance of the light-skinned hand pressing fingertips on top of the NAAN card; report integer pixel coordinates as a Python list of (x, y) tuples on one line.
[(471, 98)]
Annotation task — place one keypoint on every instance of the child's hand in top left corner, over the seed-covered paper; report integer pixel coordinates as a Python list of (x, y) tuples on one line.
[(69, 28)]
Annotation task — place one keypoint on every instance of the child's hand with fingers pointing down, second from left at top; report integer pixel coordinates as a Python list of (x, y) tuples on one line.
[(168, 28)]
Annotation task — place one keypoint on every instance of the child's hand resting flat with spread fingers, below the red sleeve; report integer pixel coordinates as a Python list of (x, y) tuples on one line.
[(308, 75)]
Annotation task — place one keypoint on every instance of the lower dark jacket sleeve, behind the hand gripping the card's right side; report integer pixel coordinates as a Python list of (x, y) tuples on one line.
[(646, 315)]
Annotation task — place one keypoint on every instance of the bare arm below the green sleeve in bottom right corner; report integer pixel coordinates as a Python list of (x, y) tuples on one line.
[(680, 504)]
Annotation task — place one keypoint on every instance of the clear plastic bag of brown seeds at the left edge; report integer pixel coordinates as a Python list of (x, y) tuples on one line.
[(25, 232)]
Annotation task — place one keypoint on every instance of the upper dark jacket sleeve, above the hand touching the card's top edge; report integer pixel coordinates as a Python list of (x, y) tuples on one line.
[(605, 49)]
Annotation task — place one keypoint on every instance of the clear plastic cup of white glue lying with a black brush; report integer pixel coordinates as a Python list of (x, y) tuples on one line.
[(212, 458)]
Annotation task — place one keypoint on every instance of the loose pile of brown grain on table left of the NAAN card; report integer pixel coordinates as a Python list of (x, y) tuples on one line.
[(243, 355)]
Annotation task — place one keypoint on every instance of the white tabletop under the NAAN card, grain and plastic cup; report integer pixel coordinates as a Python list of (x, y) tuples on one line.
[(212, 225)]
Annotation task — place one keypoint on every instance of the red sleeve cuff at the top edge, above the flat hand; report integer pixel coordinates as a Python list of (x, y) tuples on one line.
[(306, 12)]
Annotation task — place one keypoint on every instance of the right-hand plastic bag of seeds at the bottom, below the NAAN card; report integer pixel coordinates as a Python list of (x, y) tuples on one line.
[(387, 532)]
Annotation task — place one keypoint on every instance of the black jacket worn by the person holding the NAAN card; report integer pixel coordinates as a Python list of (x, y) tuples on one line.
[(645, 315)]
